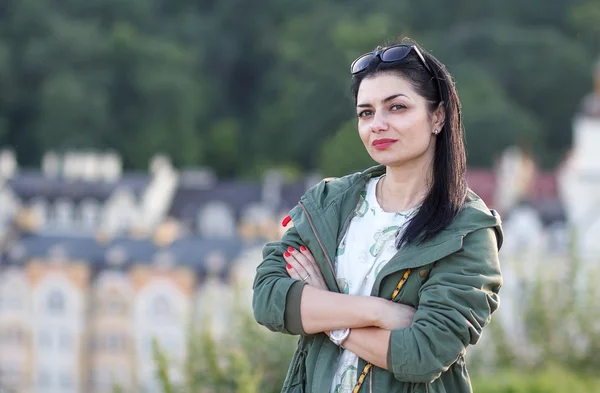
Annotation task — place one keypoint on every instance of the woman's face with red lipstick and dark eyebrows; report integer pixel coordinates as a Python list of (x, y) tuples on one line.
[(394, 122)]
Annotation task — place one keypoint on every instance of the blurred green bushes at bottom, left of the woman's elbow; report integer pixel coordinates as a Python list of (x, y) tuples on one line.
[(252, 360)]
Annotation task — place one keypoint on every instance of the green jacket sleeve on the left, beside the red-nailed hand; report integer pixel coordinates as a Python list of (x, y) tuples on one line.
[(276, 296)]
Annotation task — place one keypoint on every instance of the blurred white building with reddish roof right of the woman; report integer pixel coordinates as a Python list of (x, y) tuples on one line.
[(551, 225)]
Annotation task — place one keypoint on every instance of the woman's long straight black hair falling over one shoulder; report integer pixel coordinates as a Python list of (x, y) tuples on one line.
[(449, 187)]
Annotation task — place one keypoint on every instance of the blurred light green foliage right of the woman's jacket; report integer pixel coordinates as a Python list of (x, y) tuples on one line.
[(554, 322)]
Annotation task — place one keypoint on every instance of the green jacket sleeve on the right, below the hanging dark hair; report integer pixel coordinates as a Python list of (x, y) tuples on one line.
[(456, 303)]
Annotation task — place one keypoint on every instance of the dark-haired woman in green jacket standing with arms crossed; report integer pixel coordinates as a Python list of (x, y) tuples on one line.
[(408, 230)]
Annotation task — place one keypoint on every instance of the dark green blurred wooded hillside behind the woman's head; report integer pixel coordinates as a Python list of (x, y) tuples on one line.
[(238, 85)]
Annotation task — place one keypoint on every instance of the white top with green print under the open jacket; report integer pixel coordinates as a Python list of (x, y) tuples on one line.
[(367, 246)]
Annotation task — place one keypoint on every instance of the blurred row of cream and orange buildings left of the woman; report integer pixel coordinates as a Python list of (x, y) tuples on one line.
[(98, 265)]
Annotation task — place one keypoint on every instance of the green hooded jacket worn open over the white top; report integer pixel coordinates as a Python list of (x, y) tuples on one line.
[(454, 285)]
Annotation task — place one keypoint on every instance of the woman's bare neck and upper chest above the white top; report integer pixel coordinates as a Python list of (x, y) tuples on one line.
[(404, 188)]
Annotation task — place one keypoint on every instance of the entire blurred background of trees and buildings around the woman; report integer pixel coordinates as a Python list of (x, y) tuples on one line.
[(148, 149)]
